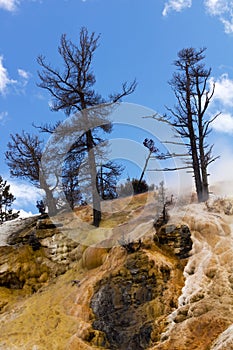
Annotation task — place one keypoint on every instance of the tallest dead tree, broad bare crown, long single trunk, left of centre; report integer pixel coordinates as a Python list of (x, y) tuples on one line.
[(72, 90)]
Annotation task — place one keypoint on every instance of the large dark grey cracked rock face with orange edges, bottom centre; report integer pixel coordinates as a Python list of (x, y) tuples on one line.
[(126, 303)]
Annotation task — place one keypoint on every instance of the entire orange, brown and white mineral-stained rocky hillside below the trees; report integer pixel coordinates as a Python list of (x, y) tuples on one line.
[(68, 295)]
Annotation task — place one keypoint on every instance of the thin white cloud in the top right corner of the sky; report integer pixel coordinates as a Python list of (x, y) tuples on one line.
[(223, 9)]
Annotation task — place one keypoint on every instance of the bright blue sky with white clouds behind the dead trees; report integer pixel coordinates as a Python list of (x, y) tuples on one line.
[(139, 39)]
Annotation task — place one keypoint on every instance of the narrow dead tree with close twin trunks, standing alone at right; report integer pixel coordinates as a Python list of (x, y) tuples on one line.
[(189, 117)]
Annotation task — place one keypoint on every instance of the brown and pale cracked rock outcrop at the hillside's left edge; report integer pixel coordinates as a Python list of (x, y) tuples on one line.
[(35, 255)]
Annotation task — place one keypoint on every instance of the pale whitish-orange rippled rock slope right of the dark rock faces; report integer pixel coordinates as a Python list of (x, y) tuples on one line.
[(205, 307)]
